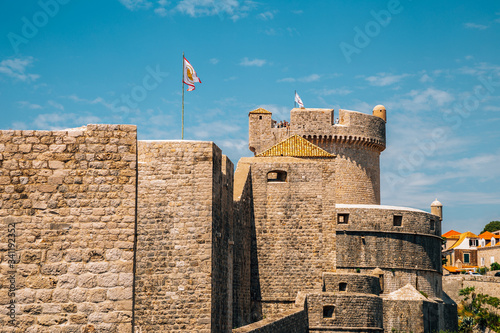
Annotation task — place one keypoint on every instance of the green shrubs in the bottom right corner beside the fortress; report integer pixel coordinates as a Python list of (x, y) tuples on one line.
[(474, 311)]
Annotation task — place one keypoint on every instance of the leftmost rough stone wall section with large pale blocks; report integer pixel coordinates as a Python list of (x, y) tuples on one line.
[(70, 196)]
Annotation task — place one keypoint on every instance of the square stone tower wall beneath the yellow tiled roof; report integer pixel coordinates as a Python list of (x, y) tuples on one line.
[(295, 239)]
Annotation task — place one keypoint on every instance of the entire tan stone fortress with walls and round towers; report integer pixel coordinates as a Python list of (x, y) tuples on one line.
[(104, 233)]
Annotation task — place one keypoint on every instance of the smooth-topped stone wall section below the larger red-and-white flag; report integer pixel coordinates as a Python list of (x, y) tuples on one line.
[(183, 236)]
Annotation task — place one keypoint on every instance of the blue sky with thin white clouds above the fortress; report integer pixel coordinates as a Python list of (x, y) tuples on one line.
[(434, 65)]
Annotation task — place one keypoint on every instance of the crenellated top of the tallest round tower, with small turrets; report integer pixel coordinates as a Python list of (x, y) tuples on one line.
[(318, 126)]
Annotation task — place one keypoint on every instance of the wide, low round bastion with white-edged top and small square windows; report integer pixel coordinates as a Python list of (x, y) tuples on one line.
[(409, 253)]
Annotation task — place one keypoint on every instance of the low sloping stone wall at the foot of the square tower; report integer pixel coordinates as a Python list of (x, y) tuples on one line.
[(292, 321)]
